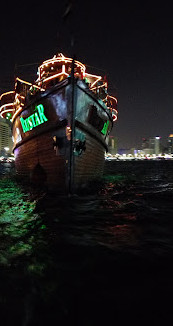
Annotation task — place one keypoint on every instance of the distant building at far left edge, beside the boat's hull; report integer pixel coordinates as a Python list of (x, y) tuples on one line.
[(5, 137)]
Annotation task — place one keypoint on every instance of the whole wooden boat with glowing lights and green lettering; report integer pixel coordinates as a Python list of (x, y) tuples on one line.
[(60, 124)]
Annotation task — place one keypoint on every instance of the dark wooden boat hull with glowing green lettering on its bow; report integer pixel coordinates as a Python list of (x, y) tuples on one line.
[(52, 150)]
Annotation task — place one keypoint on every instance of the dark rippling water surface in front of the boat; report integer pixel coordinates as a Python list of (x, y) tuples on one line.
[(102, 258)]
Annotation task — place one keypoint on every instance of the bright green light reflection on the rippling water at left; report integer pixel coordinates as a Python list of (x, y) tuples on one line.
[(17, 221)]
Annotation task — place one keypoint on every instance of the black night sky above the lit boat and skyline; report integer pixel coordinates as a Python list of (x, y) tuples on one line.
[(132, 43)]
